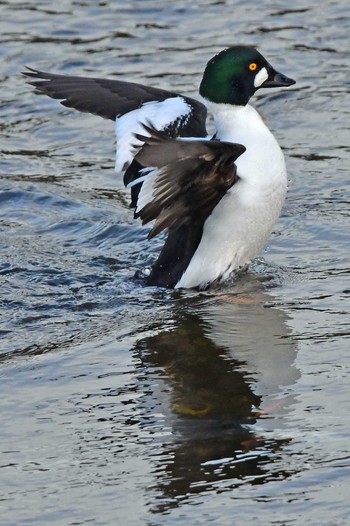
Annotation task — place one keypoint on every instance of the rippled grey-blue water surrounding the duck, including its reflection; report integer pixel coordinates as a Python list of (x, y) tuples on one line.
[(129, 405)]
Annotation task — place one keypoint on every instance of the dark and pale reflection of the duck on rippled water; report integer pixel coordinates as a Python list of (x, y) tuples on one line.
[(221, 372)]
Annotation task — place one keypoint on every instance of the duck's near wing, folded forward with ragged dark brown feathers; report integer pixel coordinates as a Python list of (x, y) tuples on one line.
[(185, 179)]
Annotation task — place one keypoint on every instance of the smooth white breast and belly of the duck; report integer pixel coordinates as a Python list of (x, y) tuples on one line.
[(244, 218)]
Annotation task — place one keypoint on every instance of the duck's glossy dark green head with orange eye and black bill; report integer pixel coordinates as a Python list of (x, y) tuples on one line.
[(234, 75)]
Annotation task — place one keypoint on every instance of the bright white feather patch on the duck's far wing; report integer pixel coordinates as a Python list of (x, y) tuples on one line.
[(159, 114)]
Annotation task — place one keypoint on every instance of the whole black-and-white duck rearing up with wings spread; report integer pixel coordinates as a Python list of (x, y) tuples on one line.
[(216, 197)]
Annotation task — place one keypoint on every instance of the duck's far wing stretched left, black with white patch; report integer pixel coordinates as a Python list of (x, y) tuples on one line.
[(128, 104)]
